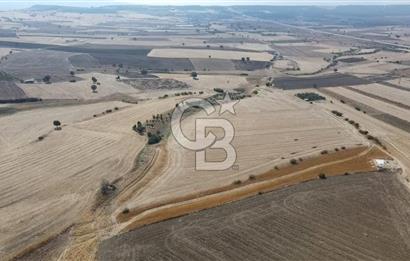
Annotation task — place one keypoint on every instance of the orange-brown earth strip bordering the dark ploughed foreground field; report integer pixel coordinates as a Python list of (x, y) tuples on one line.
[(346, 161)]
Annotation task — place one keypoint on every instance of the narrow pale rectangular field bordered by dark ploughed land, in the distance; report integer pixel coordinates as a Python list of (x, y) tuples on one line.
[(204, 53)]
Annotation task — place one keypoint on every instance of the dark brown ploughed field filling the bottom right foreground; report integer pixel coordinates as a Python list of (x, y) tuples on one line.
[(356, 217)]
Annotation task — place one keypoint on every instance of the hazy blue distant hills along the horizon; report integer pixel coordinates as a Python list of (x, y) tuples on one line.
[(355, 15)]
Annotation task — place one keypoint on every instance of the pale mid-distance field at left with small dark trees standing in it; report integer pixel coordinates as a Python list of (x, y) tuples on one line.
[(81, 89)]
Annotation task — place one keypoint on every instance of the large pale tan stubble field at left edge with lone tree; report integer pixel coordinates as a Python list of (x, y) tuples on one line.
[(46, 184)]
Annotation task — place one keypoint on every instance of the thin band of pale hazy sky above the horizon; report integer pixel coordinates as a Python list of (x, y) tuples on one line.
[(26, 3)]
